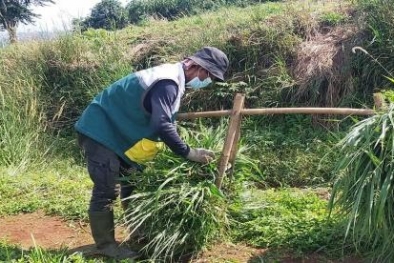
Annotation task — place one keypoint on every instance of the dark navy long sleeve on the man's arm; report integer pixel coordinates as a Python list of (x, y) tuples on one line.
[(158, 102)]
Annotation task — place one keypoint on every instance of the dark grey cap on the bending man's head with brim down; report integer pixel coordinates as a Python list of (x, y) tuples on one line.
[(213, 60)]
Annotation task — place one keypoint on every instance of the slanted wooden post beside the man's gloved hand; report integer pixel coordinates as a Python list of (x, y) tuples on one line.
[(233, 134)]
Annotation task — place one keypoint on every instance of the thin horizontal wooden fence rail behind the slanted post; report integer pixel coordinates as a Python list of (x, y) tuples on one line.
[(268, 111)]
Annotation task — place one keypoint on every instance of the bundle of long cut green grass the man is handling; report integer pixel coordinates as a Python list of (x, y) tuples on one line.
[(176, 208)]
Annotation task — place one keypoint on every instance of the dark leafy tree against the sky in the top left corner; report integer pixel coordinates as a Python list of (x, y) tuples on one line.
[(13, 12)]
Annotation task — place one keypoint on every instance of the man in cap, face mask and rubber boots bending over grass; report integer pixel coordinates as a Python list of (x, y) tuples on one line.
[(122, 126)]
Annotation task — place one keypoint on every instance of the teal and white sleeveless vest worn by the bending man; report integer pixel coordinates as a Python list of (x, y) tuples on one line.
[(116, 117)]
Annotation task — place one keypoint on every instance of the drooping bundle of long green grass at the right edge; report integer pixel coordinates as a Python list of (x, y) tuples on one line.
[(363, 189)]
